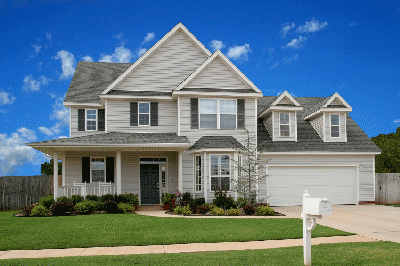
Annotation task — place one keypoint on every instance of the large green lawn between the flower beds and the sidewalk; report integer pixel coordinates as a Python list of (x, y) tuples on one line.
[(108, 230)]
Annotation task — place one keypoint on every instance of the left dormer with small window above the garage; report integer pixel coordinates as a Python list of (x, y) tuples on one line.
[(280, 117)]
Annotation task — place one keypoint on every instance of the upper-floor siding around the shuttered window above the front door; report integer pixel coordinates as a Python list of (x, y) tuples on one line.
[(118, 117)]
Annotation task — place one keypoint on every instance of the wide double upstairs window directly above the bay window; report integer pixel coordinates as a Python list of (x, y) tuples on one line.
[(217, 114)]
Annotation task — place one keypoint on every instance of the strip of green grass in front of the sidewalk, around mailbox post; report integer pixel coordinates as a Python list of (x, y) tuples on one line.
[(374, 253)]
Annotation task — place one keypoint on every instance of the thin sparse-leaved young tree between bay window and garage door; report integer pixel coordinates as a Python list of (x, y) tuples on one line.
[(248, 168)]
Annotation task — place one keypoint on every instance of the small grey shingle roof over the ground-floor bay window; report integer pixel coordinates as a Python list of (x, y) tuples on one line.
[(213, 142)]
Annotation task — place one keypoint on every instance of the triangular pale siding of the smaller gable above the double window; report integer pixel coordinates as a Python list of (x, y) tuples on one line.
[(217, 75)]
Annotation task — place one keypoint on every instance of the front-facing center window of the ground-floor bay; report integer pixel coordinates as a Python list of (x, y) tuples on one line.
[(220, 171)]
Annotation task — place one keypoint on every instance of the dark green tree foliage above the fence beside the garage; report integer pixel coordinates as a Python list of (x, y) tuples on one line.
[(389, 160)]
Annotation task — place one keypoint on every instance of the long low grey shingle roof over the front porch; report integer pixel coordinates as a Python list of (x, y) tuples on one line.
[(115, 138)]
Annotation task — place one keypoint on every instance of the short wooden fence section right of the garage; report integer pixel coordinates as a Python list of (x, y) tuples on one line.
[(387, 188)]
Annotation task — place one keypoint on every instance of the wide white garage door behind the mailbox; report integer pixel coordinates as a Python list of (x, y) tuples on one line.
[(286, 185)]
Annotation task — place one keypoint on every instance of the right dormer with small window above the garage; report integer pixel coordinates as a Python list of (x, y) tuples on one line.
[(328, 118)]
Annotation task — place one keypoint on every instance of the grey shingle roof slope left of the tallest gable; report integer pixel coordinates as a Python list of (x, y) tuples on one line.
[(90, 79)]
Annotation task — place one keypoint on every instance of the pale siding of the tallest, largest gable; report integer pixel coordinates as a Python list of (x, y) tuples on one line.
[(167, 67)]
